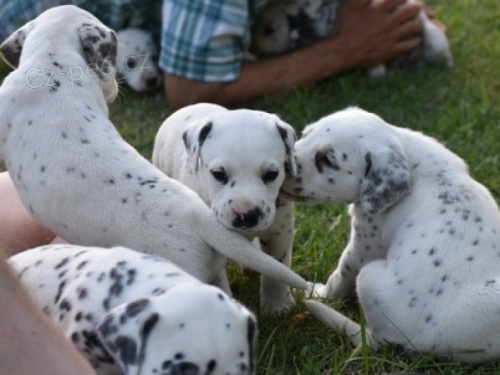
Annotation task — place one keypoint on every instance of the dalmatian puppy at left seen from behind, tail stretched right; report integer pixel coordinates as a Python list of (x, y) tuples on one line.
[(77, 176)]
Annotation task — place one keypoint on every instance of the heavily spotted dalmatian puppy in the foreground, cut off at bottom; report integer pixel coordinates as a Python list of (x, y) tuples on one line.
[(132, 313)]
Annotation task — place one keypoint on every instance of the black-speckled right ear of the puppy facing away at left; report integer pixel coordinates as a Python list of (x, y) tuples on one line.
[(99, 48)]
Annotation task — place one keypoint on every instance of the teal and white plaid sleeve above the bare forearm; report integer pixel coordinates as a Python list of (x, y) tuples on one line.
[(206, 40)]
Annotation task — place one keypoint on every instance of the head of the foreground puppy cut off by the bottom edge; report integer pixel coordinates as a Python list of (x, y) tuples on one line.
[(193, 329)]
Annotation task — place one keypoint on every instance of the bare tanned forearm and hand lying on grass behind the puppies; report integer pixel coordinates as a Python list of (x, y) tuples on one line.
[(366, 34)]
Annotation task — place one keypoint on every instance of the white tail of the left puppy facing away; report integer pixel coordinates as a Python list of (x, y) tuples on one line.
[(236, 247)]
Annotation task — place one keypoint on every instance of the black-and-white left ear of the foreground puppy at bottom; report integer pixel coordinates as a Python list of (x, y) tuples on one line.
[(124, 332)]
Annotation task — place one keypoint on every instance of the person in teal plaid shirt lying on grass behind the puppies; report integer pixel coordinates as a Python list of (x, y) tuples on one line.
[(203, 44)]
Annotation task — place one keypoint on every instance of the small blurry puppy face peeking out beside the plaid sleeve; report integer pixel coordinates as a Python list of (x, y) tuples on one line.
[(136, 59)]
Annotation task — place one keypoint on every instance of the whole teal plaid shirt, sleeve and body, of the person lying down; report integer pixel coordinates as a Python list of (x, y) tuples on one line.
[(200, 39)]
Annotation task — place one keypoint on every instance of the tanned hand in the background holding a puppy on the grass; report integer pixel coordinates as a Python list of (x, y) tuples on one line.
[(376, 31)]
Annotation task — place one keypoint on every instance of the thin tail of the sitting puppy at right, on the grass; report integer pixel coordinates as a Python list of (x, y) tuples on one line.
[(333, 319)]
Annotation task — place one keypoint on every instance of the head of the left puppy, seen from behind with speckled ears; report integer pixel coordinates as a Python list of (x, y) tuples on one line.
[(84, 34)]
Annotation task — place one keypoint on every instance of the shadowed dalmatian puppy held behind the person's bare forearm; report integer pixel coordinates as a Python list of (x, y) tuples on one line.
[(285, 26)]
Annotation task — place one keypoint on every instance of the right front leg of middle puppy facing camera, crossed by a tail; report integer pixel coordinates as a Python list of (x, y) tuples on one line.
[(276, 297)]
